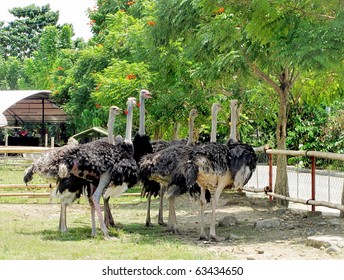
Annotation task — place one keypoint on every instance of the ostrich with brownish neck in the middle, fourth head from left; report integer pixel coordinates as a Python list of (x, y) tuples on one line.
[(153, 169)]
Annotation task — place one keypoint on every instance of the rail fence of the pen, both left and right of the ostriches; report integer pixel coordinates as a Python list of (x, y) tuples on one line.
[(308, 184)]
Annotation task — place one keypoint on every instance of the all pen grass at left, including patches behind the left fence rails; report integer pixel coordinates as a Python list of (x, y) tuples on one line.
[(29, 230)]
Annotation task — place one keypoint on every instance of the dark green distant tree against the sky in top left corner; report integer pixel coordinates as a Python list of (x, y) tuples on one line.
[(20, 37)]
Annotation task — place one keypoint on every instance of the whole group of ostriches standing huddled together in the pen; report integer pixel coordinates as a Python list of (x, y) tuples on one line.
[(108, 167)]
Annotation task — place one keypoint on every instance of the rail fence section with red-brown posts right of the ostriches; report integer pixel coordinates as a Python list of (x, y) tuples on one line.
[(314, 178)]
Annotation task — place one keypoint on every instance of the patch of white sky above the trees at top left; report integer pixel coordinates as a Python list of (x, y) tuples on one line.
[(71, 11)]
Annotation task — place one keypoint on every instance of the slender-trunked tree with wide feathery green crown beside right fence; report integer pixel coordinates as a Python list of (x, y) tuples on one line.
[(278, 41)]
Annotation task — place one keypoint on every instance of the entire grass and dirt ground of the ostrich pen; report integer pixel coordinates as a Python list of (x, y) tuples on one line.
[(34, 222)]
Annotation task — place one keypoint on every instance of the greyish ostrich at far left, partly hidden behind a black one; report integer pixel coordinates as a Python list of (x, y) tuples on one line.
[(69, 189)]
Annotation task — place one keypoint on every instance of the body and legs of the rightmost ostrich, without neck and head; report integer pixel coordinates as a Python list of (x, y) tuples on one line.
[(214, 166)]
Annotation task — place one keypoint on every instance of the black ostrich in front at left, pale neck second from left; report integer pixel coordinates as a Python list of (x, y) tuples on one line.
[(113, 165)]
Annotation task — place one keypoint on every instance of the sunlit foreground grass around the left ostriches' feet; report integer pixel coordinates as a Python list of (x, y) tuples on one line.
[(34, 236)]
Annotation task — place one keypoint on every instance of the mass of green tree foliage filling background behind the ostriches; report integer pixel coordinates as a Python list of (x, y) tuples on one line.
[(191, 54)]
